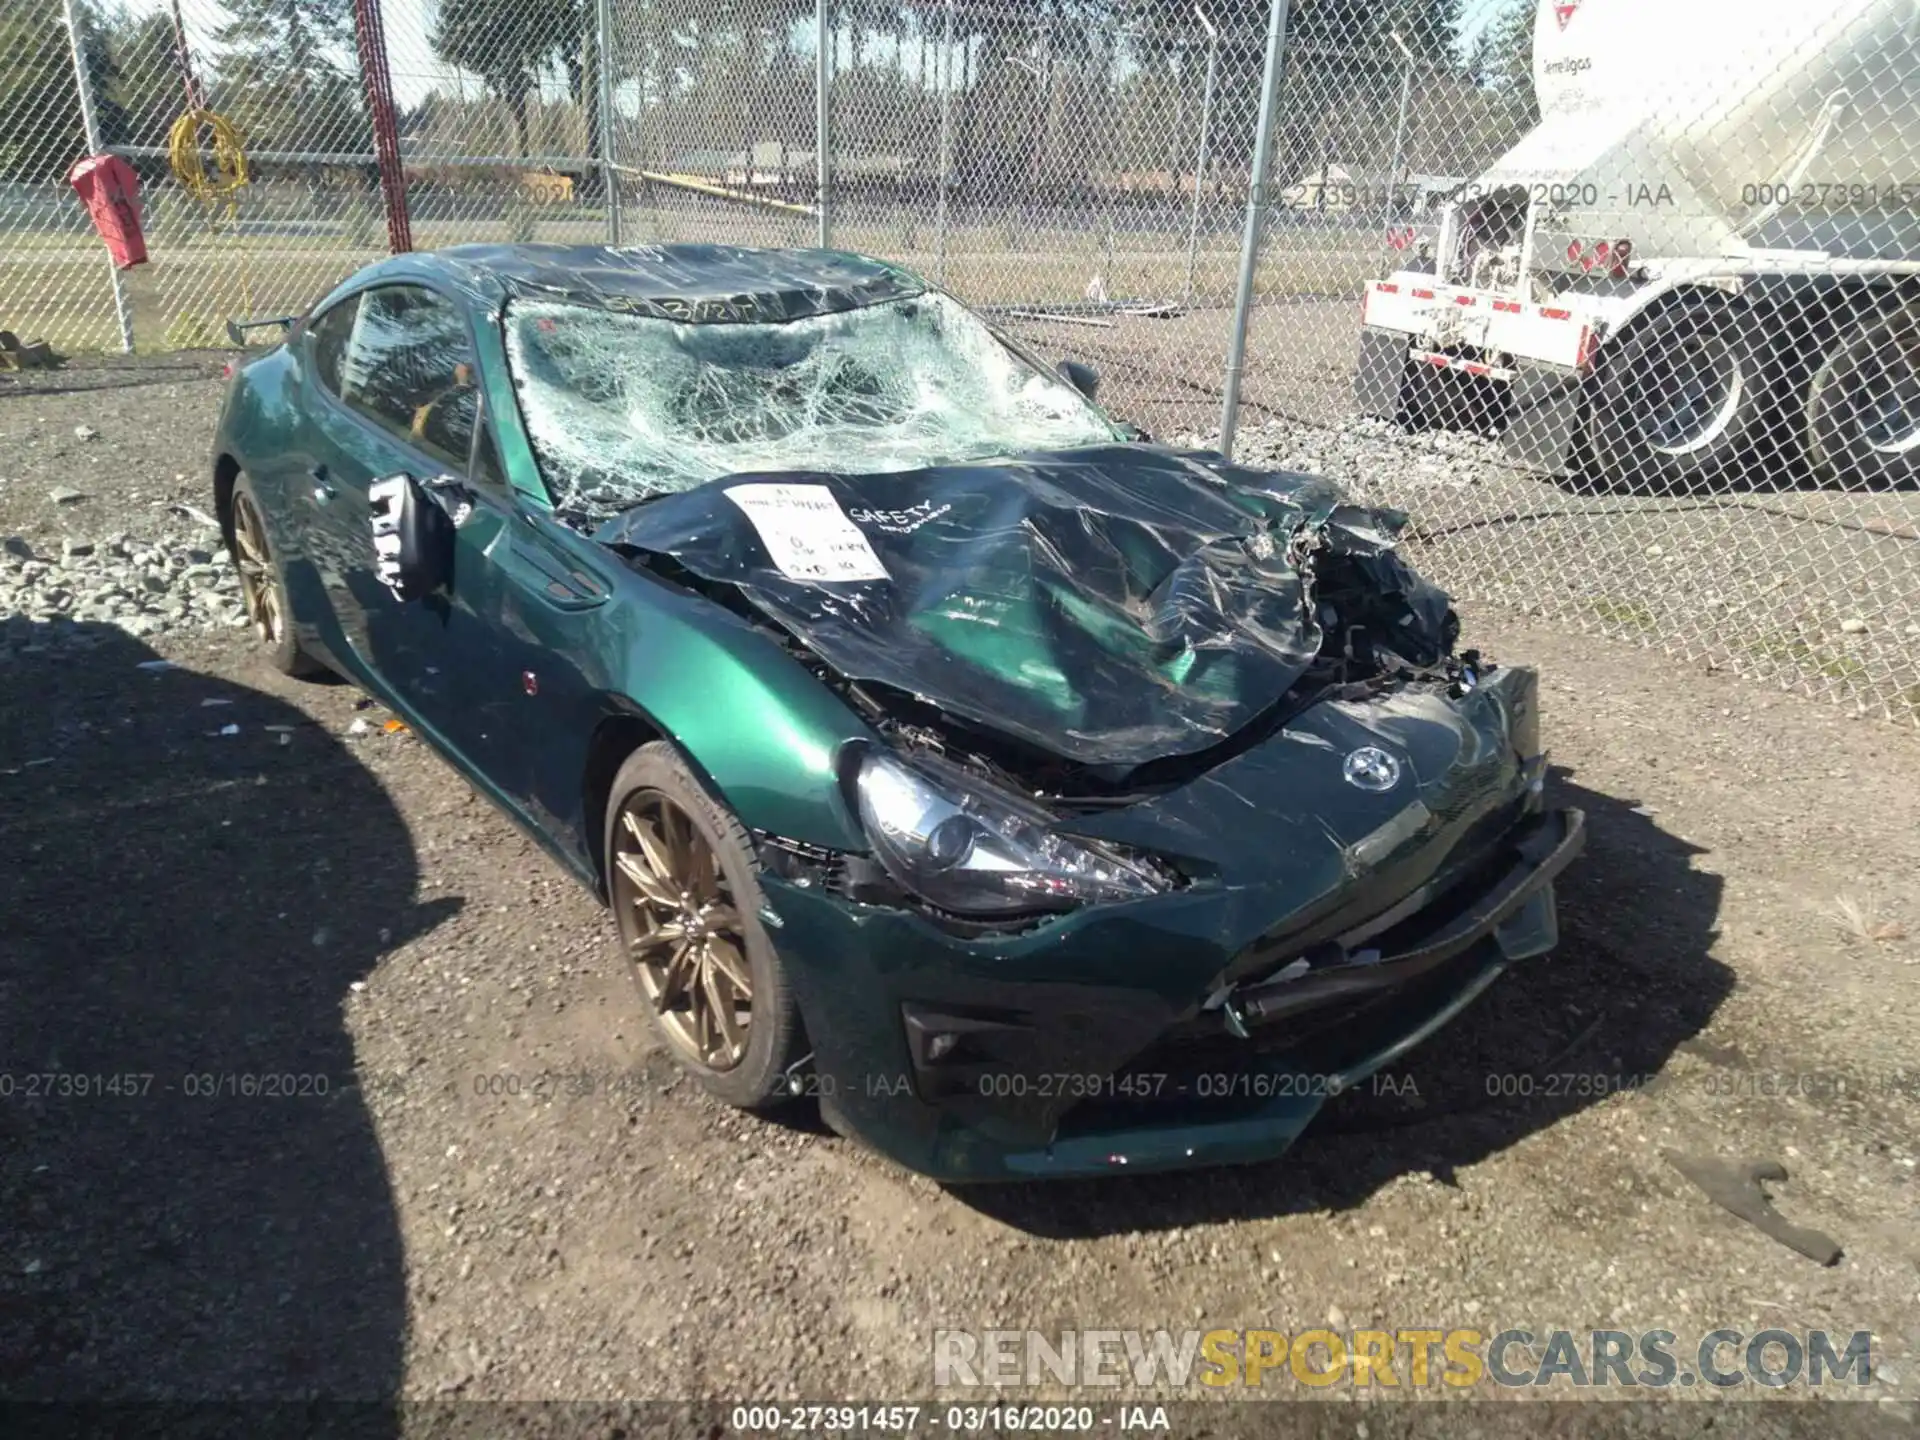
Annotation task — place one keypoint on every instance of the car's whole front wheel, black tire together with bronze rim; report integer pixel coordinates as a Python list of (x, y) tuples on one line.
[(686, 900)]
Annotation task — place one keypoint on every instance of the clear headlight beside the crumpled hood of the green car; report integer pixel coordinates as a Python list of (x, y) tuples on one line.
[(978, 852)]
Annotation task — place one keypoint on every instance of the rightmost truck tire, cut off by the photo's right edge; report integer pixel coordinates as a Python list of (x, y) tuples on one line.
[(1863, 406)]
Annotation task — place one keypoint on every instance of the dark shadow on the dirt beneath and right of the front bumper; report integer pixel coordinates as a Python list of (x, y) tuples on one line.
[(1631, 982)]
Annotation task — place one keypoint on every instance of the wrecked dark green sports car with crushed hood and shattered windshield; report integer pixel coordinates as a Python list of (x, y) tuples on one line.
[(1040, 800)]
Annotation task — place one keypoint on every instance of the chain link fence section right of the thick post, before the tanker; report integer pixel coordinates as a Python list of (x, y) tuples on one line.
[(1643, 350)]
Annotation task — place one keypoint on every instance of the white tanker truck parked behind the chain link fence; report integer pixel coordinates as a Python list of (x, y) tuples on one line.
[(1706, 252)]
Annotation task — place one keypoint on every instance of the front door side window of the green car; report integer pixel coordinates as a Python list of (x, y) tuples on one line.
[(410, 368)]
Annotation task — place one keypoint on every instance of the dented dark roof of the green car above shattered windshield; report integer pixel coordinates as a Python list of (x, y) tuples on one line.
[(702, 285)]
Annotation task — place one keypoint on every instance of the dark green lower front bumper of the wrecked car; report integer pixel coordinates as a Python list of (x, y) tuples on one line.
[(869, 969)]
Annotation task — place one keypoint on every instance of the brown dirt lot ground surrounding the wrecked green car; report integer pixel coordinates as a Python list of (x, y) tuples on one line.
[(473, 1172)]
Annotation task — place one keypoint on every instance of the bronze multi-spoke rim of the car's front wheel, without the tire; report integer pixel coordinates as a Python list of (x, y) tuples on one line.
[(683, 930)]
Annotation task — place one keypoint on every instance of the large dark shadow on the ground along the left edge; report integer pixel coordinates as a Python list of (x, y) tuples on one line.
[(193, 1197)]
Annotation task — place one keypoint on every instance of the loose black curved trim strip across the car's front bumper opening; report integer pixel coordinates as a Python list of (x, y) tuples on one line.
[(1547, 848)]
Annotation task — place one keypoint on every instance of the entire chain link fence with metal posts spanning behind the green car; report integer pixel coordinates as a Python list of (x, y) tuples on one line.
[(1618, 299)]
